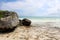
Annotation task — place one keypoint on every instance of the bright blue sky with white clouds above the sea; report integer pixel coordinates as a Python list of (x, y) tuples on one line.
[(41, 8)]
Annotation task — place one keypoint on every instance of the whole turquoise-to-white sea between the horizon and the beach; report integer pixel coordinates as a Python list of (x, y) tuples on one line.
[(42, 19)]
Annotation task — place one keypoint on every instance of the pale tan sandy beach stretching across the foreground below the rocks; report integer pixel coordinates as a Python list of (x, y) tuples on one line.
[(37, 31)]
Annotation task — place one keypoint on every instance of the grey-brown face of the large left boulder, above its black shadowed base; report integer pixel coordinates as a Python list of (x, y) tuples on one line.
[(10, 20)]
